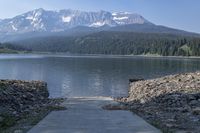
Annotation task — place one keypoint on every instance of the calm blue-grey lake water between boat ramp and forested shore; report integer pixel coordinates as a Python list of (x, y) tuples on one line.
[(69, 76)]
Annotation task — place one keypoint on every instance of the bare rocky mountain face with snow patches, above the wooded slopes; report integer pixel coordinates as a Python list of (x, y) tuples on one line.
[(55, 21)]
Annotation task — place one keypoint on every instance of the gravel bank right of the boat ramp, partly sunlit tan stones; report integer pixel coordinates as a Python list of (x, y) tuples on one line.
[(171, 103)]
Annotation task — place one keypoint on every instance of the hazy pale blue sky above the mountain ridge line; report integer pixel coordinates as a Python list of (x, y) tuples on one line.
[(182, 14)]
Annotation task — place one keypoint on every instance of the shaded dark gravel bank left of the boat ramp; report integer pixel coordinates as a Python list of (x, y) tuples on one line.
[(23, 104)]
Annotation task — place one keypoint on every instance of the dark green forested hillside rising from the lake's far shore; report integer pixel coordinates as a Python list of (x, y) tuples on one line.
[(123, 43)]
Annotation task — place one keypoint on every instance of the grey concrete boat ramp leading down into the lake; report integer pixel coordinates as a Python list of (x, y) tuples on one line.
[(85, 115)]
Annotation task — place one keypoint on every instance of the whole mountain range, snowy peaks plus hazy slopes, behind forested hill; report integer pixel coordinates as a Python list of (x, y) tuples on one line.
[(40, 22)]
